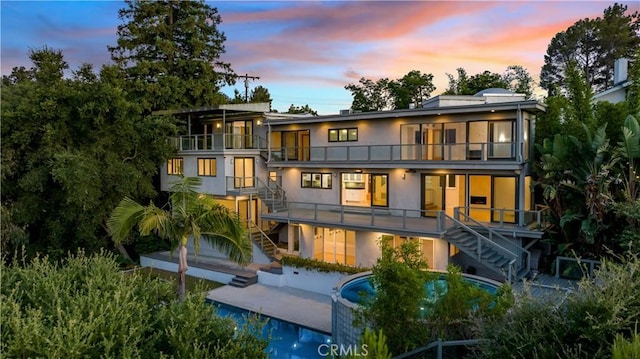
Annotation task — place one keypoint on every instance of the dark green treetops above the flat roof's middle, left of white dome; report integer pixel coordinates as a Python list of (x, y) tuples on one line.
[(410, 90)]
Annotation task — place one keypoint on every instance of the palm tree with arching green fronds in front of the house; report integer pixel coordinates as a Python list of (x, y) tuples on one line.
[(191, 214)]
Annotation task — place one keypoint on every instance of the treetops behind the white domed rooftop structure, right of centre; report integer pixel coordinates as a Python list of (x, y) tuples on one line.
[(515, 78)]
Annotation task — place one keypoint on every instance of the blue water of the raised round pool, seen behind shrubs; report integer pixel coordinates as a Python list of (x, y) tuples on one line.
[(354, 290)]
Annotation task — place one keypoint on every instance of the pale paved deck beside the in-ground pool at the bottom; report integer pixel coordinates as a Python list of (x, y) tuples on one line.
[(301, 307)]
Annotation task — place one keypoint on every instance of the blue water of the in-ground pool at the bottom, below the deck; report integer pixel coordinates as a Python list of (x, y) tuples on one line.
[(288, 340)]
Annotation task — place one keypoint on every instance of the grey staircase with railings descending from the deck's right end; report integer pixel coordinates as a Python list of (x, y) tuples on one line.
[(496, 252)]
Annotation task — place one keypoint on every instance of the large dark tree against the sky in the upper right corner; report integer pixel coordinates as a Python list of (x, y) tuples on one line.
[(594, 44)]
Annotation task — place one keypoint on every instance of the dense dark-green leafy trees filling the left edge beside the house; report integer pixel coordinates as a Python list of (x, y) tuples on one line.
[(71, 149)]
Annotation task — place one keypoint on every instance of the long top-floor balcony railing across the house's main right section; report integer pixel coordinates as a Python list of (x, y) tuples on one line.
[(442, 152)]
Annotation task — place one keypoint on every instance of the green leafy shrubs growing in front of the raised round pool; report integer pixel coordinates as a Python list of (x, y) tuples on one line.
[(414, 307)]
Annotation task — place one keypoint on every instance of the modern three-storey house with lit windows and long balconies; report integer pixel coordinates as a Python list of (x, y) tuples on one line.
[(452, 175)]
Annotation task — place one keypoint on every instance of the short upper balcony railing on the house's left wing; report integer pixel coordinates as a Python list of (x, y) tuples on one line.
[(218, 141)]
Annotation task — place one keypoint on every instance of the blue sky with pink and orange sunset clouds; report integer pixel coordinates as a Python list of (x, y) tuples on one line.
[(306, 52)]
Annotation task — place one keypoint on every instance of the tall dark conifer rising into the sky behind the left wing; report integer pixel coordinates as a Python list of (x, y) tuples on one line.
[(171, 52)]
